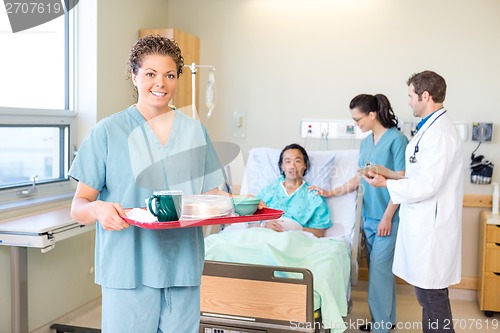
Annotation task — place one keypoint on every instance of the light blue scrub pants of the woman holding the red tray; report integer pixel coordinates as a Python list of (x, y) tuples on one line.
[(151, 310)]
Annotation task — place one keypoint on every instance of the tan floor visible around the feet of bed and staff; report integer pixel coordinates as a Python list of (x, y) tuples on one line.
[(466, 314)]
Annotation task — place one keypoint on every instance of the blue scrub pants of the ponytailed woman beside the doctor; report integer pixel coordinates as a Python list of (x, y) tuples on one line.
[(381, 280)]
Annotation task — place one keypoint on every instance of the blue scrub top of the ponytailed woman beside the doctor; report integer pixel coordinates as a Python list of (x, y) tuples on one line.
[(389, 152)]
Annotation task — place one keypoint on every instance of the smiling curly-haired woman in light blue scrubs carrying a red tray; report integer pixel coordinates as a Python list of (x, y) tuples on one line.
[(149, 278)]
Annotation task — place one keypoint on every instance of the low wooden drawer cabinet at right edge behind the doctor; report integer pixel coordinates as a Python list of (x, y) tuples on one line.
[(489, 263)]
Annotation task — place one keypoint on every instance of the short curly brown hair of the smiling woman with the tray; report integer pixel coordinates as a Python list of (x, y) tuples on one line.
[(154, 44)]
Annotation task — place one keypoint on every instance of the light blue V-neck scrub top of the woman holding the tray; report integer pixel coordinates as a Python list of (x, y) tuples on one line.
[(123, 159)]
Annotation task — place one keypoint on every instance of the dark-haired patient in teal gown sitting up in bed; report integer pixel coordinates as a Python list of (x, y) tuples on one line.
[(304, 210)]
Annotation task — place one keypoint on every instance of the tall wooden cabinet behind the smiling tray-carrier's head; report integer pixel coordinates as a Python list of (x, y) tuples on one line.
[(190, 48)]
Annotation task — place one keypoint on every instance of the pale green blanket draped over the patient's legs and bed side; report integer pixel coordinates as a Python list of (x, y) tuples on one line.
[(327, 259)]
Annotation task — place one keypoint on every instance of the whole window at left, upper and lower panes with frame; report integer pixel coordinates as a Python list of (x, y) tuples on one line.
[(37, 120)]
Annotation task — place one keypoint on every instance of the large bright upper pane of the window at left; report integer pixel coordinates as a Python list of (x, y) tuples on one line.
[(37, 65)]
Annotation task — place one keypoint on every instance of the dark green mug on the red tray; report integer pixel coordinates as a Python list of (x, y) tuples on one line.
[(165, 205)]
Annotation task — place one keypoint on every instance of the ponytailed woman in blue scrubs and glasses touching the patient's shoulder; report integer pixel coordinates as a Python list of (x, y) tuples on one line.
[(384, 146)]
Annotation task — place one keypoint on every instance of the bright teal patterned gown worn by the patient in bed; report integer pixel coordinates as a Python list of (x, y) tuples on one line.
[(307, 208)]
